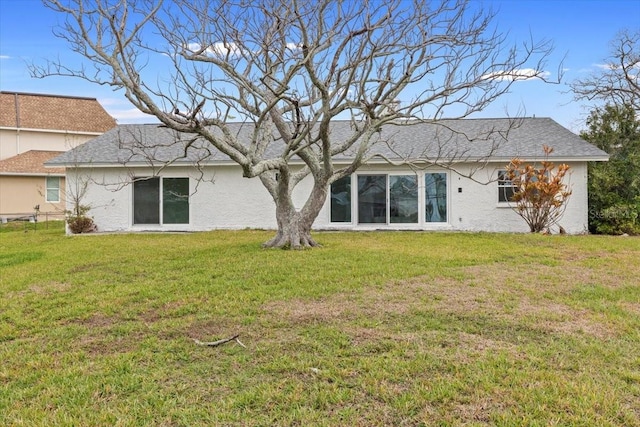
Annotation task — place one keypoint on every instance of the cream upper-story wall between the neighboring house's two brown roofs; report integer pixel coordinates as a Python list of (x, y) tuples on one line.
[(14, 142)]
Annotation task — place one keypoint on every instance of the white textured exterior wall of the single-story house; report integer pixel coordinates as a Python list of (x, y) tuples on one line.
[(234, 202)]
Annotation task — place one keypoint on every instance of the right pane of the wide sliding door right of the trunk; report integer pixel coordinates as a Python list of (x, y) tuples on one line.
[(403, 199)]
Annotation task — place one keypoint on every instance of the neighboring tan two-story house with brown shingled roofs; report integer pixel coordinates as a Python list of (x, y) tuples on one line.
[(33, 129)]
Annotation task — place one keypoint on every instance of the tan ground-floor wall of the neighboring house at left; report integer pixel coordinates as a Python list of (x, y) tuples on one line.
[(19, 195)]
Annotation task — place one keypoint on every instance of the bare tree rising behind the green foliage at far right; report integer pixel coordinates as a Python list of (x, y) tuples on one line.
[(618, 82)]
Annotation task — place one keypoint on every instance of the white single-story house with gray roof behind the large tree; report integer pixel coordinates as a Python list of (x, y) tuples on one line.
[(205, 190)]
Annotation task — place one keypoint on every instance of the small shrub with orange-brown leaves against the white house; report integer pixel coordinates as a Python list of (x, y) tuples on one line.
[(540, 195)]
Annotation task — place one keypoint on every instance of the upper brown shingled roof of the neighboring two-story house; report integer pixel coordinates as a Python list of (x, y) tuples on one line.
[(53, 112)]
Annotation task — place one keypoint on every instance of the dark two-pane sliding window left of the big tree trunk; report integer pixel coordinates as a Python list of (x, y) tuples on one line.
[(161, 201)]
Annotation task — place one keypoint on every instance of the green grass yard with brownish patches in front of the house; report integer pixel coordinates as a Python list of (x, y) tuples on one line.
[(388, 329)]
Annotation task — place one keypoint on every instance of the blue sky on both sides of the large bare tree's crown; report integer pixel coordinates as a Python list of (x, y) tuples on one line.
[(580, 30)]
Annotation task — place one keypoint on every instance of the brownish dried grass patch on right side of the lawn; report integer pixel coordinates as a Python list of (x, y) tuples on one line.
[(498, 291)]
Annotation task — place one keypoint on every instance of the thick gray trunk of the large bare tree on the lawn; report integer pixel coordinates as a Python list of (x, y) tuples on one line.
[(294, 227)]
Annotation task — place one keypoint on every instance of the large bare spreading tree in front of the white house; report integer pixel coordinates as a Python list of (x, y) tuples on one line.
[(290, 67)]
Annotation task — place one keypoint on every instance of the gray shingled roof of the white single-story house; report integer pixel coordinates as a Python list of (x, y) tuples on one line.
[(443, 140)]
